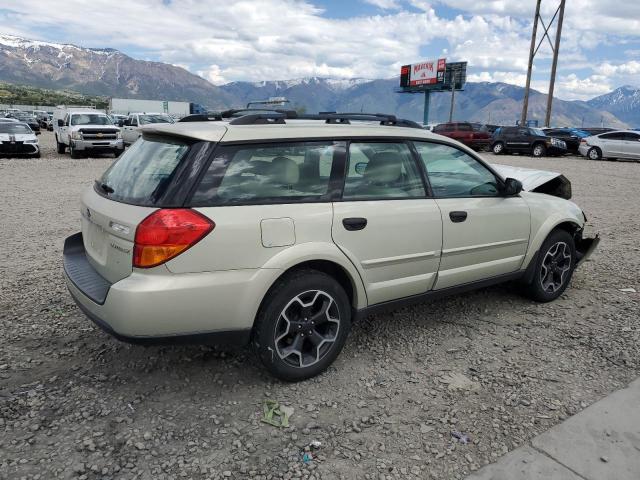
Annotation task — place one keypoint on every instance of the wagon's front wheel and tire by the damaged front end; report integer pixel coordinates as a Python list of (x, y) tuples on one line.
[(536, 290)]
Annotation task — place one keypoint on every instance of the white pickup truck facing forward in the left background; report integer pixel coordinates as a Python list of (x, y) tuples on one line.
[(86, 130)]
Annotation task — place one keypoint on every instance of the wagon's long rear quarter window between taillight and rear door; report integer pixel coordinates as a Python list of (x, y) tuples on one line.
[(268, 173)]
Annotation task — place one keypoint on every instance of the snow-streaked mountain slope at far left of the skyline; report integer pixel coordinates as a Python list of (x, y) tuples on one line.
[(105, 72)]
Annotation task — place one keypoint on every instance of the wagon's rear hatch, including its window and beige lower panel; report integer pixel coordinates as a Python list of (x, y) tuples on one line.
[(146, 177)]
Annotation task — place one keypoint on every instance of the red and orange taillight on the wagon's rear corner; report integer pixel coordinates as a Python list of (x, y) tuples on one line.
[(167, 233)]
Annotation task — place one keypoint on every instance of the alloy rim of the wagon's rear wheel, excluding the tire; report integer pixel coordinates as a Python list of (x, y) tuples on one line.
[(307, 328)]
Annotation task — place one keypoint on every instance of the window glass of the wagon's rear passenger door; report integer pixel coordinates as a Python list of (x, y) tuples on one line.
[(382, 170)]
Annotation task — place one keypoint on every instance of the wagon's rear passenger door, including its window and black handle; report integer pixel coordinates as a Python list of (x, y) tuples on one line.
[(385, 224)]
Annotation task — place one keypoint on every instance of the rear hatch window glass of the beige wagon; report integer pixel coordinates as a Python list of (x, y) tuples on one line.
[(143, 173)]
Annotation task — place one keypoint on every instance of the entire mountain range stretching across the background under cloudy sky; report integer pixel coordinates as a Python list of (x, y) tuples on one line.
[(109, 72)]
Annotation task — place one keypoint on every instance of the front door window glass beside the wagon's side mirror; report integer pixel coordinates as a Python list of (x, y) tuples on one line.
[(453, 173)]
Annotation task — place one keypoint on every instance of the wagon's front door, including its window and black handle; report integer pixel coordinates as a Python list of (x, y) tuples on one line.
[(484, 234)]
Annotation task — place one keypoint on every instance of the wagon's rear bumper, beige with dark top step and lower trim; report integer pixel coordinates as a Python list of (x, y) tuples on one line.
[(157, 307)]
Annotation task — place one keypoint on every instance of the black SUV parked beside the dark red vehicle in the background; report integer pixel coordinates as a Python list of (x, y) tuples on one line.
[(526, 140)]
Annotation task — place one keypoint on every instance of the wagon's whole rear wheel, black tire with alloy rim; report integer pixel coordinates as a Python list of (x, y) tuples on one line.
[(271, 326)]
